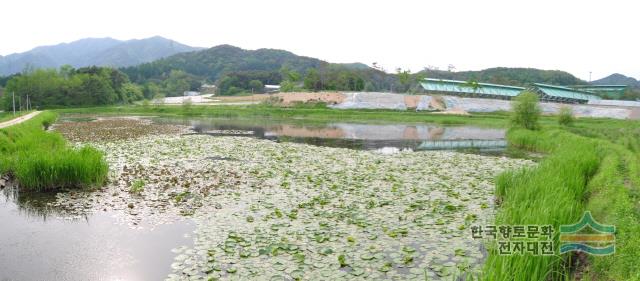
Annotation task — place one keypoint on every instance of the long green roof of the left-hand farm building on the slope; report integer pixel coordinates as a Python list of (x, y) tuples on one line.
[(455, 86)]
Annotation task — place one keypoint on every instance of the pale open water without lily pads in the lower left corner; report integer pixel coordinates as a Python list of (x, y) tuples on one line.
[(39, 241)]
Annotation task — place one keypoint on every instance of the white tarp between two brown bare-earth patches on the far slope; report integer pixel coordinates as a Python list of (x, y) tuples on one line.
[(372, 101)]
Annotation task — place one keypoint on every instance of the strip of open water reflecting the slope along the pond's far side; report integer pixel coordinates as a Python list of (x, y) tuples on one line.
[(352, 135)]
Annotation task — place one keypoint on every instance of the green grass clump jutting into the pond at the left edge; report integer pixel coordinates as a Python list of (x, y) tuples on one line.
[(42, 160)]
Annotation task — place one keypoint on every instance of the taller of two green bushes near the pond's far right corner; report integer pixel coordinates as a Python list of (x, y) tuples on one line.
[(526, 111)]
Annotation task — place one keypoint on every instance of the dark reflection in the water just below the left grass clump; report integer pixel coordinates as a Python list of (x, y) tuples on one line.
[(36, 205)]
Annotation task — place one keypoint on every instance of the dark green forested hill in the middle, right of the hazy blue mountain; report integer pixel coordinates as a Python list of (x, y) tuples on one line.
[(214, 62)]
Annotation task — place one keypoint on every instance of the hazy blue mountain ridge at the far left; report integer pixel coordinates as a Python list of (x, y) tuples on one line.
[(93, 51)]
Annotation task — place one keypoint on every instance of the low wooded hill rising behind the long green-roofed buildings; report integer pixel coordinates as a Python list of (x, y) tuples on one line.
[(509, 76)]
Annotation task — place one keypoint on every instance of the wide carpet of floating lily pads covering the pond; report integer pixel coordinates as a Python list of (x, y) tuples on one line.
[(286, 211)]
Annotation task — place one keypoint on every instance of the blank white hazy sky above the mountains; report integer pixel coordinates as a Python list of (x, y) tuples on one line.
[(575, 36)]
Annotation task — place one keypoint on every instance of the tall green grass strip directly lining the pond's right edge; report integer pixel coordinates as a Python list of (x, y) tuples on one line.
[(553, 193)]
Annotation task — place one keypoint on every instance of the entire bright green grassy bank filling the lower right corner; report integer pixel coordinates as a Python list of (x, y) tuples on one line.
[(592, 166)]
